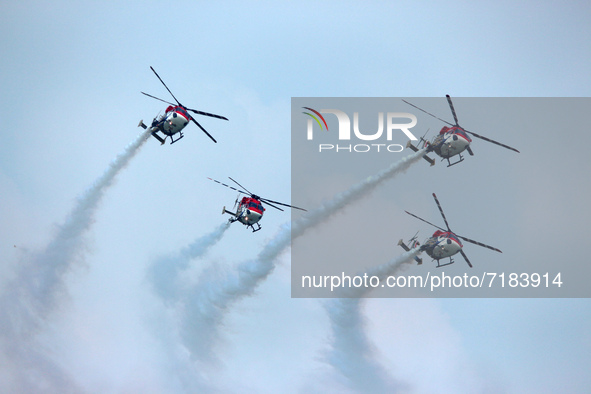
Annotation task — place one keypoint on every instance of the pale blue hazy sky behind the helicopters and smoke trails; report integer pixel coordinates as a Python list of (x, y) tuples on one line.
[(71, 75)]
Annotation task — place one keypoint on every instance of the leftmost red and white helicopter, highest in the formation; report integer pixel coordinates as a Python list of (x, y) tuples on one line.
[(175, 118)]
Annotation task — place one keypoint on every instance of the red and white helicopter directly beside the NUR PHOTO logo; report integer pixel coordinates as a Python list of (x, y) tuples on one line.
[(451, 141)]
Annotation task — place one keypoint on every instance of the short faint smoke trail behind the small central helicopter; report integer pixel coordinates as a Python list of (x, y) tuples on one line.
[(163, 274)]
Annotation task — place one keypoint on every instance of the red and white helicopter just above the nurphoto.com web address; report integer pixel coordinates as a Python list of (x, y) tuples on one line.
[(443, 243)]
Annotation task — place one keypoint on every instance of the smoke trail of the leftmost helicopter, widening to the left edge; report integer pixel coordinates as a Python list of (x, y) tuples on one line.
[(28, 300)]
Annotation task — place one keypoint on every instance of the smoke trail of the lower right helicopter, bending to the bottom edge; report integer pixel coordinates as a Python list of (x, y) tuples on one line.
[(351, 353)]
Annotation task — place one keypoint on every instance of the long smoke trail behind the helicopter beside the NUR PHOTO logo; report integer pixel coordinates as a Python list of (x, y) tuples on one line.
[(213, 296)]
